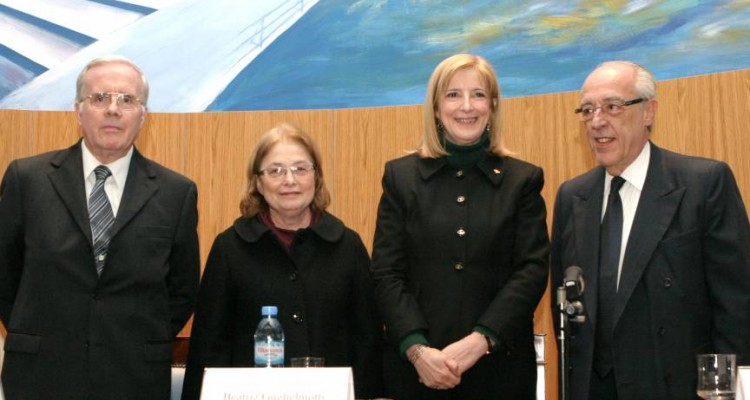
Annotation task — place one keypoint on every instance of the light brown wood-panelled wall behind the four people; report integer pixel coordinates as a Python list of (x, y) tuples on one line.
[(704, 115)]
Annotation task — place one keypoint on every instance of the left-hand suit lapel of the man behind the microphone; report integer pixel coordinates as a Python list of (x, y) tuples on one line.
[(587, 209)]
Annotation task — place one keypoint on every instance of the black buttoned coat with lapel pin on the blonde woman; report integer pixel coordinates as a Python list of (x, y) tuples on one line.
[(455, 250)]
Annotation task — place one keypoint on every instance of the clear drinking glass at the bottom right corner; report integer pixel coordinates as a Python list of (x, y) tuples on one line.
[(716, 376)]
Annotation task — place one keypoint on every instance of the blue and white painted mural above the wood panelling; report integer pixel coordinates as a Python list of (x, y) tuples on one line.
[(303, 54)]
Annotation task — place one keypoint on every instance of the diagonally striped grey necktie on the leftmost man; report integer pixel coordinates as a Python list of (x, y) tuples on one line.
[(101, 216)]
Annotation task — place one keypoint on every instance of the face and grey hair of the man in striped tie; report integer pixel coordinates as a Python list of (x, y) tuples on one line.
[(109, 132)]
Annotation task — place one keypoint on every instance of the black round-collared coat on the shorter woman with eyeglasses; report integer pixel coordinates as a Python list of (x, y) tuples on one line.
[(322, 289)]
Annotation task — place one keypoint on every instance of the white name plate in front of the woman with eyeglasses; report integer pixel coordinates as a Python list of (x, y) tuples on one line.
[(277, 384)]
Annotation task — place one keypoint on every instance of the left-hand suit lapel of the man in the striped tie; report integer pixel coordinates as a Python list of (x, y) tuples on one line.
[(67, 180)]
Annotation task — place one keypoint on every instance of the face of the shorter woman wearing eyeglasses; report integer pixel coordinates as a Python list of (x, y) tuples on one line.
[(290, 196)]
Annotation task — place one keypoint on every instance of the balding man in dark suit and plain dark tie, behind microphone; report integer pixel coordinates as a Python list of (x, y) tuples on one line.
[(666, 257)]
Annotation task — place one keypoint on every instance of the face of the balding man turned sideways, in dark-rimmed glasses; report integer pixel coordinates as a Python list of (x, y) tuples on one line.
[(616, 140)]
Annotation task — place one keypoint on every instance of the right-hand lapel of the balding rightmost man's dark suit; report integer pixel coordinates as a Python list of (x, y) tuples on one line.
[(657, 206)]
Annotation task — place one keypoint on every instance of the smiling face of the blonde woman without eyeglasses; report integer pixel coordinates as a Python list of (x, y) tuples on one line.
[(464, 109)]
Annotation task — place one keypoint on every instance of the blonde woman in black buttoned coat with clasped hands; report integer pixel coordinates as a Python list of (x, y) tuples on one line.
[(460, 251)]
